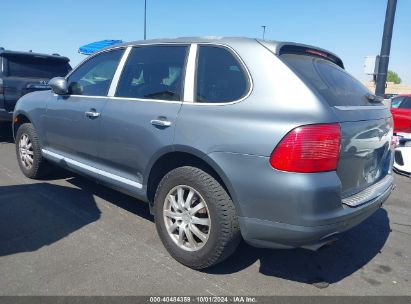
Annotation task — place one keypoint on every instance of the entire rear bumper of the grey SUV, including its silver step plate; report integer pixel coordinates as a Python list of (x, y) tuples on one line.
[(283, 210)]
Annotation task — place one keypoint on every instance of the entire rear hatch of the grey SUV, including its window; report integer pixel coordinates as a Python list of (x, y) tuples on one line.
[(366, 124)]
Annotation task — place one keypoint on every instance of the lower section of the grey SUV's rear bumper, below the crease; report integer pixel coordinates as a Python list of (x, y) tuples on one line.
[(268, 234)]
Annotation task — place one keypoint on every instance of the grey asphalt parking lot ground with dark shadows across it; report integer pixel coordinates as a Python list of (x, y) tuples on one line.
[(70, 236)]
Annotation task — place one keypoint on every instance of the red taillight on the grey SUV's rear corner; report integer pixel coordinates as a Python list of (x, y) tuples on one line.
[(308, 149)]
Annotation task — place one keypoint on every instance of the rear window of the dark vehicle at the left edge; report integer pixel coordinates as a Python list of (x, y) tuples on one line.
[(36, 67)]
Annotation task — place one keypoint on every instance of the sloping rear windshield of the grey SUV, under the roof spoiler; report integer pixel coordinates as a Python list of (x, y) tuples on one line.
[(333, 83)]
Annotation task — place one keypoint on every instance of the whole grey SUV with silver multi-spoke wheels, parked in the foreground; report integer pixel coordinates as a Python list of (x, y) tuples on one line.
[(225, 138)]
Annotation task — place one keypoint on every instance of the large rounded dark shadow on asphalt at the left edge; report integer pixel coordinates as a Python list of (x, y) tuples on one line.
[(37, 215)]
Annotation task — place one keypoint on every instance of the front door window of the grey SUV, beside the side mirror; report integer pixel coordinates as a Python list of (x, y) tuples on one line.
[(93, 78)]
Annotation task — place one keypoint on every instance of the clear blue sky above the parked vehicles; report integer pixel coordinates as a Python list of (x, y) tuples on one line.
[(350, 28)]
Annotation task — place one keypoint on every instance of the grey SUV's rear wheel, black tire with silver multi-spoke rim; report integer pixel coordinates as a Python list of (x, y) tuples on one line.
[(214, 215)]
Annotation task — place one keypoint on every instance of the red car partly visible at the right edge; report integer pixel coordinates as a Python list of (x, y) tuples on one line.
[(401, 113)]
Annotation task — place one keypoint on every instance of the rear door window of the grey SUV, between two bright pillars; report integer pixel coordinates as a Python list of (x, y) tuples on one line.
[(153, 72)]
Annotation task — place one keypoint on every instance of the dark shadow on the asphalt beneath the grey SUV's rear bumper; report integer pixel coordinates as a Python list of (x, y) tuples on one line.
[(354, 249)]
